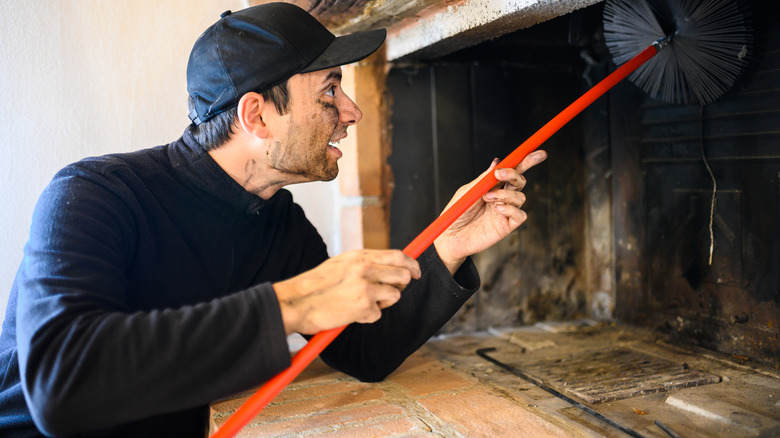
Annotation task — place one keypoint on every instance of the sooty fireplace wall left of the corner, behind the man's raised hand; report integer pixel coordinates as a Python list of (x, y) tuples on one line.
[(451, 118)]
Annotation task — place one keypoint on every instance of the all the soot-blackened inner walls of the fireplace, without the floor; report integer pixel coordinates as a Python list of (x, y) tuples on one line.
[(618, 215)]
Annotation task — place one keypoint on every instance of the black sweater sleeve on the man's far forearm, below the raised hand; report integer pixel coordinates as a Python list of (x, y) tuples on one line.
[(370, 352)]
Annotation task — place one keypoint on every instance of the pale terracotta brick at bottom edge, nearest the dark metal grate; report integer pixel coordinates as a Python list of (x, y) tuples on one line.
[(483, 413)]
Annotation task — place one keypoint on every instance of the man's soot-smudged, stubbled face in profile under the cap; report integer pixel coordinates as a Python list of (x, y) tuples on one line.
[(305, 142)]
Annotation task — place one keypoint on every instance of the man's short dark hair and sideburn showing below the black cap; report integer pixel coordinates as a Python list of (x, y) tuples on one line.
[(216, 131)]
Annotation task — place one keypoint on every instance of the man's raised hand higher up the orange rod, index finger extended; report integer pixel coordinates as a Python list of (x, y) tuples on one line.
[(491, 218)]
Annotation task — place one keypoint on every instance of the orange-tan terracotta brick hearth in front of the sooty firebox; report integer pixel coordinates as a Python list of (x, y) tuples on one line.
[(424, 397)]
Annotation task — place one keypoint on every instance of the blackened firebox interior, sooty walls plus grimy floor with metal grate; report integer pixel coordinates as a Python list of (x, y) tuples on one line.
[(623, 232)]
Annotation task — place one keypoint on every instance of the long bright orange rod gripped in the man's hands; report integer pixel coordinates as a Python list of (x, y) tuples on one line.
[(254, 404)]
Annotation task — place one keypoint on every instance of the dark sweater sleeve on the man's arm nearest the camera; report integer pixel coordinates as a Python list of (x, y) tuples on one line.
[(87, 362)]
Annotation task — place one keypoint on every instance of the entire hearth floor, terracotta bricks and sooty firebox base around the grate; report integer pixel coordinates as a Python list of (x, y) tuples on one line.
[(447, 390)]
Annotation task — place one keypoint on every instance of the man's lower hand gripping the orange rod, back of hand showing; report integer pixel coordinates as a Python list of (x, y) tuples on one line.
[(351, 287)]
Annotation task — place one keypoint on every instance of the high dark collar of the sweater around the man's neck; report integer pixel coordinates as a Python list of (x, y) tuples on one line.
[(196, 167)]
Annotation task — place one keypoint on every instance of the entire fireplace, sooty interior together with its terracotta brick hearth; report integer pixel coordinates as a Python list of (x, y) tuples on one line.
[(603, 314)]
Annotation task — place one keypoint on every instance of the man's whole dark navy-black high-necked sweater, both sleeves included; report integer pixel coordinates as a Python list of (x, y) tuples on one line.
[(145, 293)]
